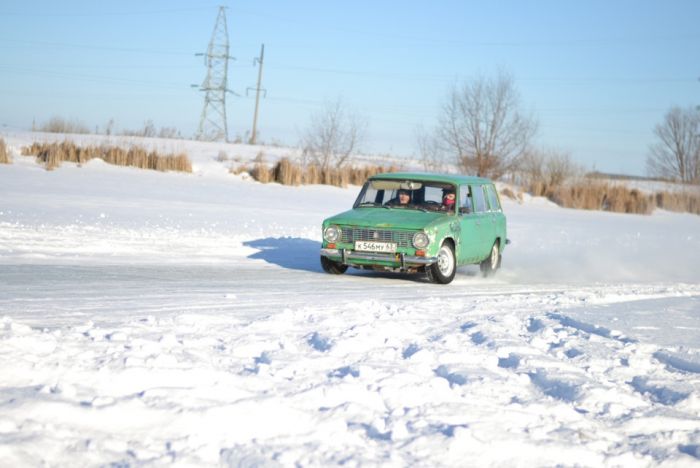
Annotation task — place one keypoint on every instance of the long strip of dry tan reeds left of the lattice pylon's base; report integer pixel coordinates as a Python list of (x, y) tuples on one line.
[(53, 154)]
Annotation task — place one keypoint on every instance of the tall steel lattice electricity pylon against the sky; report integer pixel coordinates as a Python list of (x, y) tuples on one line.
[(212, 123)]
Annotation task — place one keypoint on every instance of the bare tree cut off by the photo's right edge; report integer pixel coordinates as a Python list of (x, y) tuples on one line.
[(676, 153)]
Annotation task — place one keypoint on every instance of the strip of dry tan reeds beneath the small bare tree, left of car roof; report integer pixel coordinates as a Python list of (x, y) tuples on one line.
[(287, 172)]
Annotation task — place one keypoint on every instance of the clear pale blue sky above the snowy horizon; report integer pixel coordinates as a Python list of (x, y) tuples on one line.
[(597, 75)]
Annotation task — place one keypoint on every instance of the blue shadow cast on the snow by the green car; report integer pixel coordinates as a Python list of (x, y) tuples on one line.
[(288, 252)]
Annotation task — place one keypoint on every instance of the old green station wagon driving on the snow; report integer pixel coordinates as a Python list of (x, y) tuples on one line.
[(418, 222)]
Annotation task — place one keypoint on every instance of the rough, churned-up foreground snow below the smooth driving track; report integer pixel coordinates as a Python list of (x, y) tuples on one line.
[(320, 385)]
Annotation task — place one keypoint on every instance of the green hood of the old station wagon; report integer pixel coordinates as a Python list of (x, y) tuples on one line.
[(396, 218)]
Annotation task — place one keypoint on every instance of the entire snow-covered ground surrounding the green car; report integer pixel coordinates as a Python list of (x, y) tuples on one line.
[(150, 318)]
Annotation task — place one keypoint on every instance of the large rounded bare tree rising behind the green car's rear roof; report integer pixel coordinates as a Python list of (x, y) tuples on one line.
[(483, 128)]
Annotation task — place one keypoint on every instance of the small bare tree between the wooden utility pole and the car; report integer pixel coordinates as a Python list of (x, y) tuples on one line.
[(333, 135)]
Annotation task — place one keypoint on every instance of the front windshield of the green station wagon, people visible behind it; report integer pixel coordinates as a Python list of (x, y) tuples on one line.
[(407, 195)]
